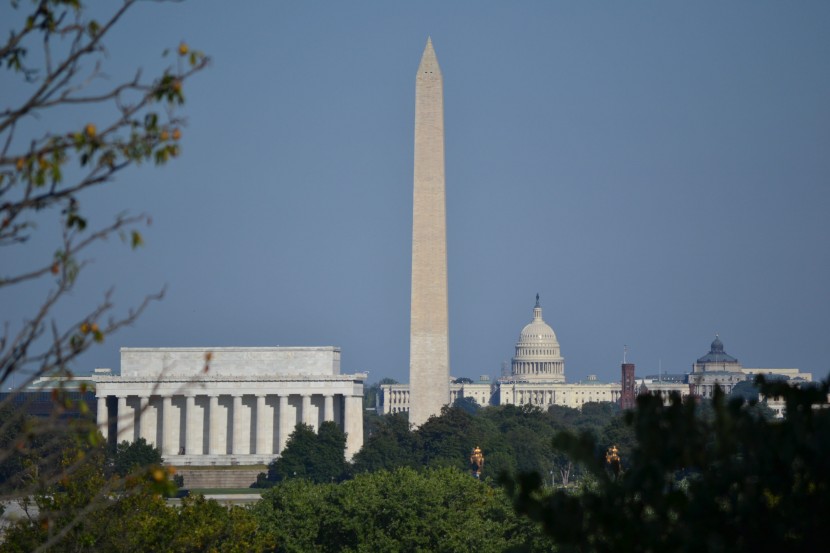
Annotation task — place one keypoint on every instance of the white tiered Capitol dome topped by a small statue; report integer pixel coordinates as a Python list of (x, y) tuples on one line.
[(537, 351)]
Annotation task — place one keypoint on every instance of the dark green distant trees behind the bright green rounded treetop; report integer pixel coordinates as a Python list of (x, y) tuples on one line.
[(515, 439)]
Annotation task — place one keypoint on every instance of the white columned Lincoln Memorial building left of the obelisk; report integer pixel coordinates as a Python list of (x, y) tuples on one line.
[(227, 406)]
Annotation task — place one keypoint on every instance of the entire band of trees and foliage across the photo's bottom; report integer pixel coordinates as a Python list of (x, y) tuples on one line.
[(709, 476)]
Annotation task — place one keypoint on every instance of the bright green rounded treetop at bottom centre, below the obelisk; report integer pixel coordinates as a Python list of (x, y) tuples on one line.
[(403, 510)]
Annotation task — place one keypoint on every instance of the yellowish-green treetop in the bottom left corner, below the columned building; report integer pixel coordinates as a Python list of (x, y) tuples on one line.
[(86, 511)]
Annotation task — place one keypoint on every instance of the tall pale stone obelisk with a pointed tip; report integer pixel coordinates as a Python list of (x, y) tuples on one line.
[(429, 349)]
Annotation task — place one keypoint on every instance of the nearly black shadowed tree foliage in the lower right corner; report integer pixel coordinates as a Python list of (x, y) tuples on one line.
[(730, 480)]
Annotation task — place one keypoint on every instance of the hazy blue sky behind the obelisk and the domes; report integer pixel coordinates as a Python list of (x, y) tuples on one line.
[(657, 171)]
